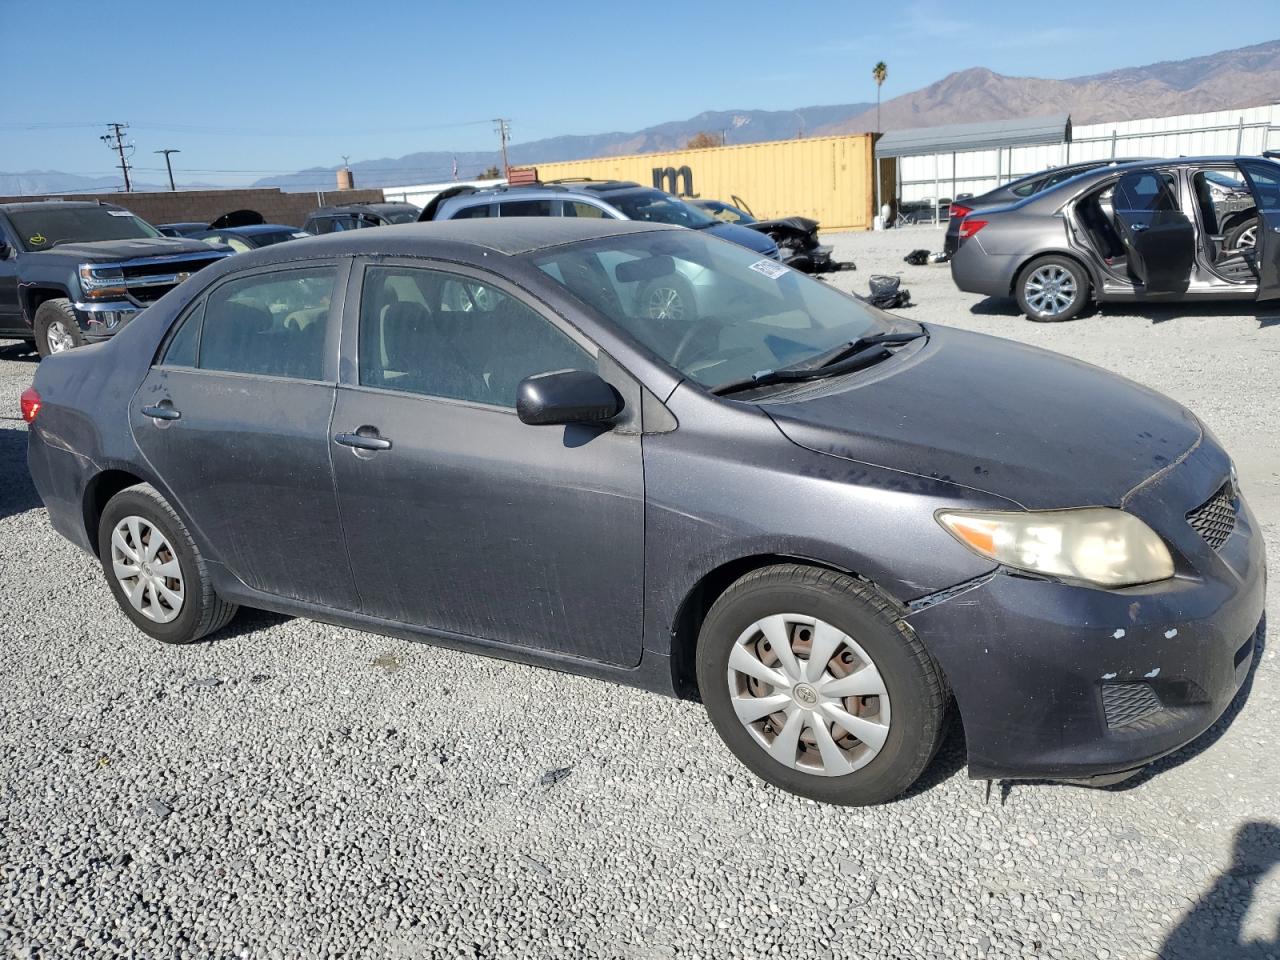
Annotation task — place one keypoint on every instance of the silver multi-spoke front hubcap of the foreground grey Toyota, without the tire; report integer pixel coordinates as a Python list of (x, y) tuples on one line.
[(808, 694)]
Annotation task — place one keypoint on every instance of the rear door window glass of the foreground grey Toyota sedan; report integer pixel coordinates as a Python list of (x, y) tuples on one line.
[(268, 324)]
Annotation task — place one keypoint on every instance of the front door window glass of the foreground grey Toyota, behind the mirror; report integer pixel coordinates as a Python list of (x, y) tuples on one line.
[(441, 335)]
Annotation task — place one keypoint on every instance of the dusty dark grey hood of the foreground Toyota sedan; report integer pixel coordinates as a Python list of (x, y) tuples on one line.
[(1027, 426)]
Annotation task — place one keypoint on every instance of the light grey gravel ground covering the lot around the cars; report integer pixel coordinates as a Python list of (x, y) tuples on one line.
[(294, 789)]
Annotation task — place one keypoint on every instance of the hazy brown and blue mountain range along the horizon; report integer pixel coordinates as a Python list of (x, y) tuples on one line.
[(1233, 79)]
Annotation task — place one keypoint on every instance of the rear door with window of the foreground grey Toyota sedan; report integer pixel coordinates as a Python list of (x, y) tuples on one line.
[(235, 420)]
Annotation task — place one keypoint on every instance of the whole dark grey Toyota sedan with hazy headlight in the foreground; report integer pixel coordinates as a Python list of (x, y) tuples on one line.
[(822, 522)]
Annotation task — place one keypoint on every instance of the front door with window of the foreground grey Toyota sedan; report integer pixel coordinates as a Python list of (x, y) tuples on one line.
[(459, 516)]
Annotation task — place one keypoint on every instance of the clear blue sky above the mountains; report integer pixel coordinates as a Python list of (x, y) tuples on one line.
[(246, 89)]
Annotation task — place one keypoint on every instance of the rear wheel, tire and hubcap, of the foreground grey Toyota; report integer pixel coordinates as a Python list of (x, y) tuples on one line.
[(156, 570)]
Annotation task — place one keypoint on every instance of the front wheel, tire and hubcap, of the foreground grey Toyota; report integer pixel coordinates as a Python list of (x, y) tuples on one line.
[(816, 684)]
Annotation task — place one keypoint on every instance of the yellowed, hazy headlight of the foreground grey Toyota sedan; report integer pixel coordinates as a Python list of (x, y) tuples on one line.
[(1099, 545)]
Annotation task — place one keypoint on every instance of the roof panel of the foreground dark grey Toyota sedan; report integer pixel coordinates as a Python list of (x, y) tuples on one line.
[(468, 241)]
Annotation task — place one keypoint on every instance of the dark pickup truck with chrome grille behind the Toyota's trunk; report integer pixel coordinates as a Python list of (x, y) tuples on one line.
[(76, 272)]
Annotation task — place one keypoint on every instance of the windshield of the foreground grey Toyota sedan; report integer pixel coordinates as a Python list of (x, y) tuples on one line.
[(714, 310)]
